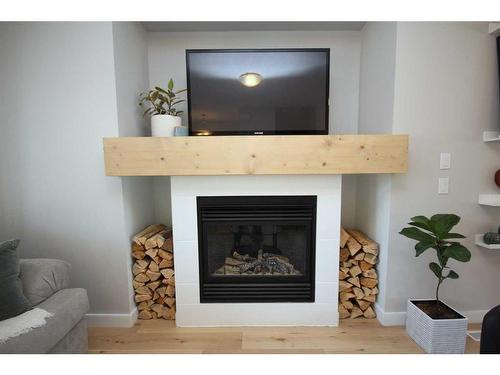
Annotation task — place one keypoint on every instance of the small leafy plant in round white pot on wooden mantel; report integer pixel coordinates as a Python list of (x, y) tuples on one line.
[(161, 106)]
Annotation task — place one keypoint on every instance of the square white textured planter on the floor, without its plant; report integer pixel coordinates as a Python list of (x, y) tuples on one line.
[(435, 336)]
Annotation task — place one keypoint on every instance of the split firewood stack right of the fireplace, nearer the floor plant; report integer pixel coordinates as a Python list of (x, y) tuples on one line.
[(358, 278)]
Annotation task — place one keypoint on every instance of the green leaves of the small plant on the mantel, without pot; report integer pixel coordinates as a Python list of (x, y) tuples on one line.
[(160, 101)]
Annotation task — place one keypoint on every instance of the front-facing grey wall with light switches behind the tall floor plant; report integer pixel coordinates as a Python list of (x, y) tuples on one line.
[(446, 95)]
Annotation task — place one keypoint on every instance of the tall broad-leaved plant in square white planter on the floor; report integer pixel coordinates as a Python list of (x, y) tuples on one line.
[(432, 324)]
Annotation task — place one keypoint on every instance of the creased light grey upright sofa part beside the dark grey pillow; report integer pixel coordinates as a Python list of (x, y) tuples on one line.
[(42, 278)]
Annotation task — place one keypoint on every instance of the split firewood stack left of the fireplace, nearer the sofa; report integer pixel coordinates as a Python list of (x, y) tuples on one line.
[(153, 270)]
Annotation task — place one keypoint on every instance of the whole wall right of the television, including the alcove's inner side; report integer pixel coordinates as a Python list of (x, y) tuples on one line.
[(445, 95)]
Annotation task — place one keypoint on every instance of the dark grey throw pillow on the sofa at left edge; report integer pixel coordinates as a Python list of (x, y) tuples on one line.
[(12, 300)]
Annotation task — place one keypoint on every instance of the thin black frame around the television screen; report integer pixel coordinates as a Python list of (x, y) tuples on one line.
[(259, 132)]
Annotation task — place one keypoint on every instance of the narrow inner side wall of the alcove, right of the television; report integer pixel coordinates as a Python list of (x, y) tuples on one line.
[(376, 105)]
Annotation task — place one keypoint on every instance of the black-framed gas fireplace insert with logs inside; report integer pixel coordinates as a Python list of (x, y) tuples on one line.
[(257, 248)]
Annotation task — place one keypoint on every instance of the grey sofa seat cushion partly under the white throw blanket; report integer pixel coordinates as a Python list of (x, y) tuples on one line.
[(68, 307)]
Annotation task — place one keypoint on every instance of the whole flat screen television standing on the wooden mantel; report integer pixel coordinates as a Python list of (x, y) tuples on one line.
[(258, 91)]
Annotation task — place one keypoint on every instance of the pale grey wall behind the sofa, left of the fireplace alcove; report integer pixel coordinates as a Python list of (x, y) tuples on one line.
[(58, 99)]
